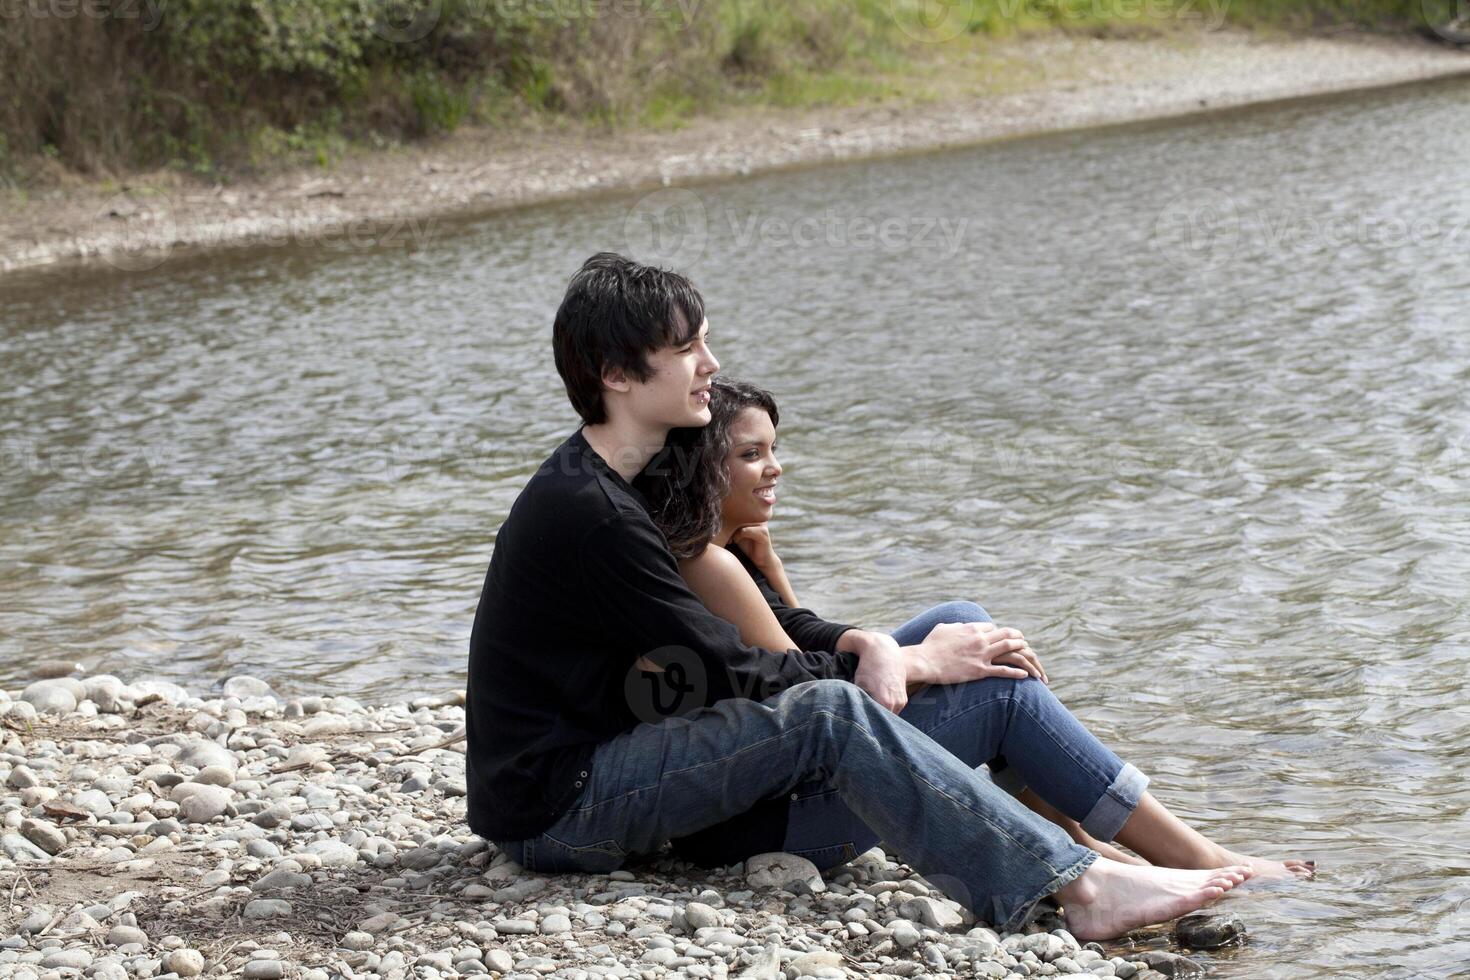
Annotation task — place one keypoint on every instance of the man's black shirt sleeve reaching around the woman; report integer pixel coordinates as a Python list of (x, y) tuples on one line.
[(640, 594)]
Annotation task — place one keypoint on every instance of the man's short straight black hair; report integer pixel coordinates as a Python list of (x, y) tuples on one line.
[(614, 315)]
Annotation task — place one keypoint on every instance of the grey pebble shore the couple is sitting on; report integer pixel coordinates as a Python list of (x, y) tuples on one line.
[(146, 832)]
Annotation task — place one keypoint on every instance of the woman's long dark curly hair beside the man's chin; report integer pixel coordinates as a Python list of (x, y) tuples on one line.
[(687, 483)]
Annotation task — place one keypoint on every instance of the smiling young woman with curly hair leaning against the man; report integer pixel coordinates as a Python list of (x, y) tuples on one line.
[(714, 494)]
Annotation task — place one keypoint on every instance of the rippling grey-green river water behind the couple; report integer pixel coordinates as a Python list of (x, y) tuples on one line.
[(1187, 402)]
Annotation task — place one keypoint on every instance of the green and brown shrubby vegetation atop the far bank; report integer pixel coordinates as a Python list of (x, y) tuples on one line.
[(220, 84)]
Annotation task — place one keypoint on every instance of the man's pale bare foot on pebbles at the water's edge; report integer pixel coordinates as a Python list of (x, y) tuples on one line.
[(1111, 898)]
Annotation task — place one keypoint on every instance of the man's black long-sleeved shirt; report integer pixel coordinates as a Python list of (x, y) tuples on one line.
[(583, 584)]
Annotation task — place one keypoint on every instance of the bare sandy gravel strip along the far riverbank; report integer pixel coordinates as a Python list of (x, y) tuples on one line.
[(402, 198)]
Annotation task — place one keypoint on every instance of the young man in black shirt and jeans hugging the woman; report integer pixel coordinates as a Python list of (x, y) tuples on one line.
[(609, 712)]
